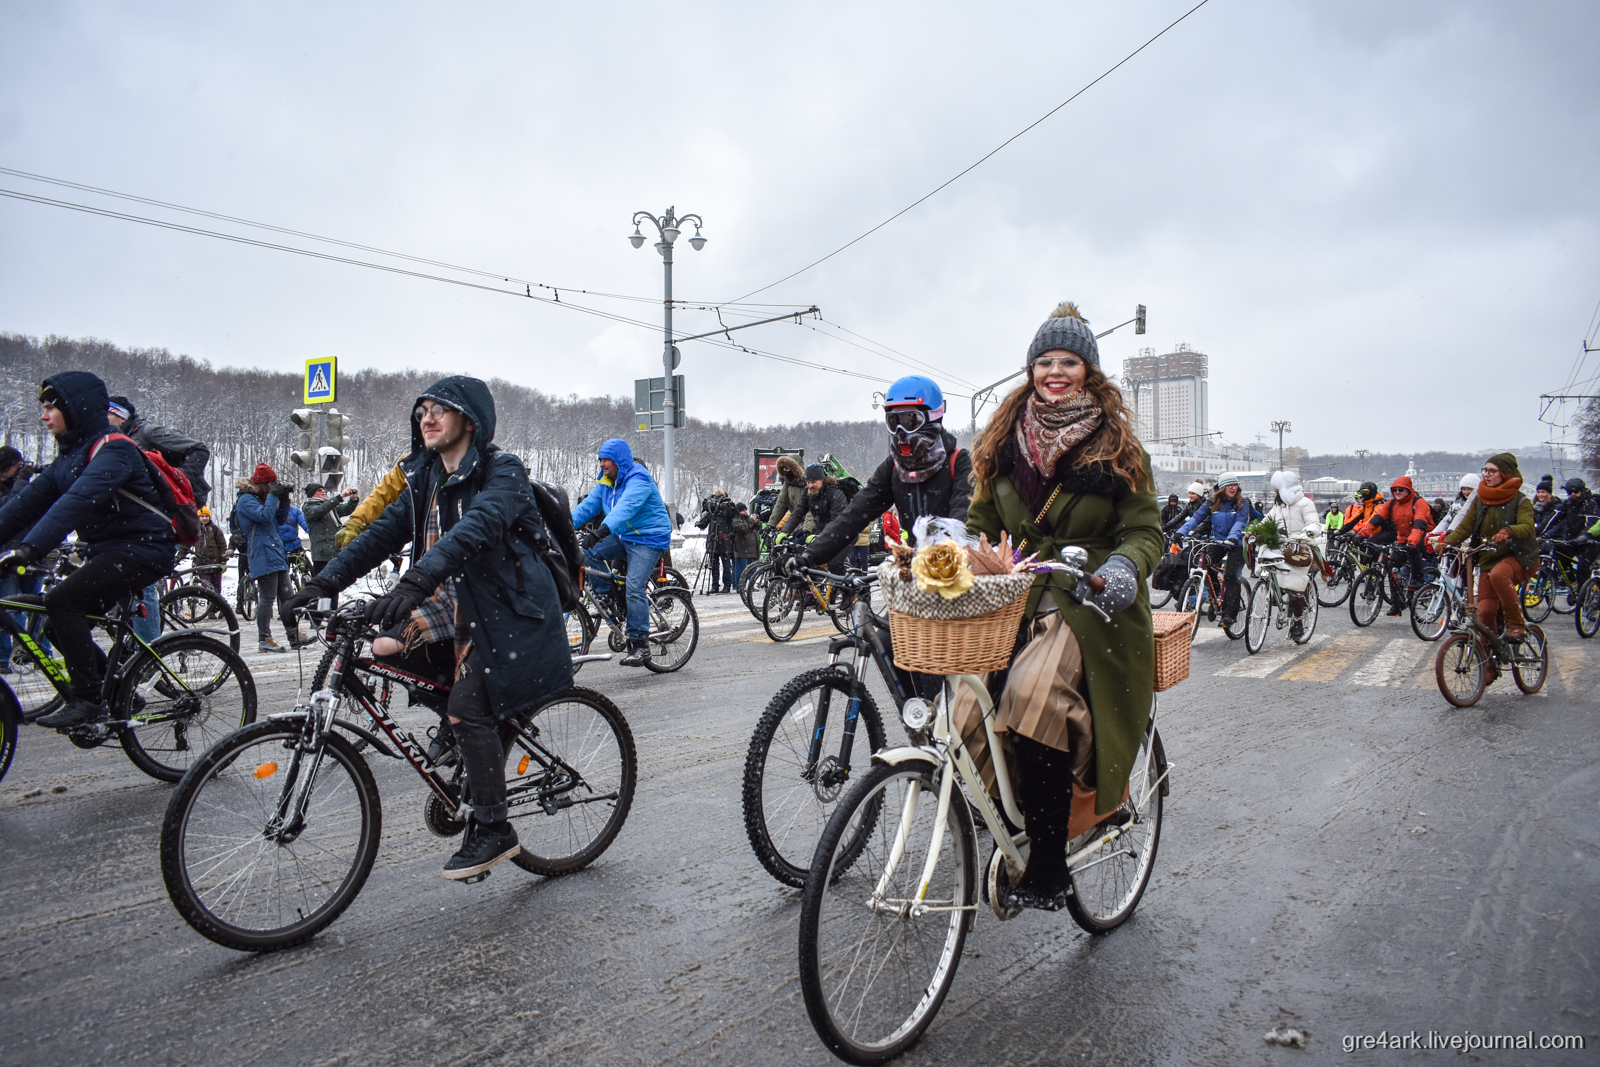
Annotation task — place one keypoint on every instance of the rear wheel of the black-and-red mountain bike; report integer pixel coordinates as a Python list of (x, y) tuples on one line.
[(570, 777)]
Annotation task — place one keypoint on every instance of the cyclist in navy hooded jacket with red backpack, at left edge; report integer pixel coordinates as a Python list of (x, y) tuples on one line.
[(105, 490)]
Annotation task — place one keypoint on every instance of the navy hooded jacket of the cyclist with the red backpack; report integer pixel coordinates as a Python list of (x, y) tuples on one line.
[(74, 494)]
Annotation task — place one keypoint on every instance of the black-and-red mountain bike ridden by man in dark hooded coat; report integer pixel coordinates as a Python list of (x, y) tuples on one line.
[(274, 831)]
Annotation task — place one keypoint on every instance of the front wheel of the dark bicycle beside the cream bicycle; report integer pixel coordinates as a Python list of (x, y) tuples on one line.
[(801, 807)]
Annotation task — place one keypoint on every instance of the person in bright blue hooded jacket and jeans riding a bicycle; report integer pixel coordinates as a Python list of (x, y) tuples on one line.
[(636, 529)]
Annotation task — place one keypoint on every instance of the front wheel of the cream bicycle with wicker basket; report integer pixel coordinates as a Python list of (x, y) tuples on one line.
[(878, 949)]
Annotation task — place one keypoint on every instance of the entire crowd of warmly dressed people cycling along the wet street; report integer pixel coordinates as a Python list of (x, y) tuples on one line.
[(481, 607)]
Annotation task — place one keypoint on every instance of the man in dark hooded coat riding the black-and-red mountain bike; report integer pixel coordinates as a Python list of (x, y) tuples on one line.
[(468, 513)]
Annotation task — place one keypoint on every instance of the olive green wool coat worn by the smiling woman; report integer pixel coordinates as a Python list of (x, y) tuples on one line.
[(1119, 657)]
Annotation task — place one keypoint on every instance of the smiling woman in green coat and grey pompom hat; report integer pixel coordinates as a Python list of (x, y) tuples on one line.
[(1058, 466)]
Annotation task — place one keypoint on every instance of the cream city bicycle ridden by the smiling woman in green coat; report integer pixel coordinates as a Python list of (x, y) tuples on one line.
[(894, 887)]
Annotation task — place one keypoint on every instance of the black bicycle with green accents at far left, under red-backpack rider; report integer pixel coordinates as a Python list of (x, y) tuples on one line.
[(169, 698)]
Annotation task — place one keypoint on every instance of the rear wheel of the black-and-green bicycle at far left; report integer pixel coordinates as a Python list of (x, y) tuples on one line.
[(180, 701)]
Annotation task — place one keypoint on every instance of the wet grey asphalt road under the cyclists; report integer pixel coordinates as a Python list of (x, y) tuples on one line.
[(1343, 853)]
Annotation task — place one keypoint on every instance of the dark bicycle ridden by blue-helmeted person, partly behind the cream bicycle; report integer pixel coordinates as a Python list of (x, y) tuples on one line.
[(806, 749)]
